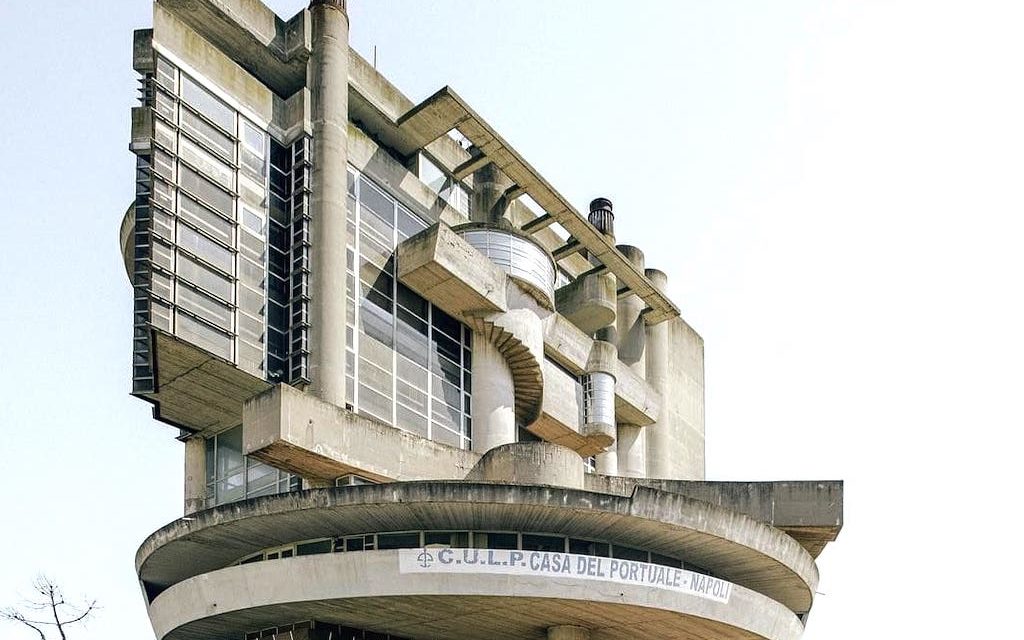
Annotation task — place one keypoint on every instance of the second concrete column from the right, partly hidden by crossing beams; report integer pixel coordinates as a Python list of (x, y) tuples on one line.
[(631, 337)]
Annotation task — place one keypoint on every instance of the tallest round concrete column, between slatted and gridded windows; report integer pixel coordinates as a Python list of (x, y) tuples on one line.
[(328, 80)]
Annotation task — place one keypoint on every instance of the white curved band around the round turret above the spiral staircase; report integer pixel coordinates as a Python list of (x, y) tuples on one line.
[(519, 255)]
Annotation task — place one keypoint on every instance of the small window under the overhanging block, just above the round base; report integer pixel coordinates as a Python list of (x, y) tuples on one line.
[(231, 476)]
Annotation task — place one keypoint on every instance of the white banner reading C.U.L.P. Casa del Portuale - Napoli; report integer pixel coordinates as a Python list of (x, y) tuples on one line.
[(550, 565)]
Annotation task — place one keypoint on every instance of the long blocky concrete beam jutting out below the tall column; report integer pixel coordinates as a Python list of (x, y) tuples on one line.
[(297, 433)]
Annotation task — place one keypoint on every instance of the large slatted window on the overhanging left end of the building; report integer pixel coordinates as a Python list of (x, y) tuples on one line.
[(205, 209)]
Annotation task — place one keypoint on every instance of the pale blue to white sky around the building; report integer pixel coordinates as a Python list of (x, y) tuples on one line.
[(833, 188)]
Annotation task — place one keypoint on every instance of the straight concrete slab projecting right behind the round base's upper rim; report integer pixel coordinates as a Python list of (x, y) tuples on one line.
[(812, 511)]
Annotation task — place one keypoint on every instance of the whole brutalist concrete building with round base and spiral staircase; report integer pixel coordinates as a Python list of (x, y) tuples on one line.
[(420, 395)]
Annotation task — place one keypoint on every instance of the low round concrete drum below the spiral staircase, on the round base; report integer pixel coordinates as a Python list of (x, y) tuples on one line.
[(531, 463)]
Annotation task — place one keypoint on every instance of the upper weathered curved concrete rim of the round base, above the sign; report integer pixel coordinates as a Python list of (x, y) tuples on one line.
[(732, 545)]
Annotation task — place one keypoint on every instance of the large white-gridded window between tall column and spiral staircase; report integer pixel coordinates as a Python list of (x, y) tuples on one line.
[(409, 363)]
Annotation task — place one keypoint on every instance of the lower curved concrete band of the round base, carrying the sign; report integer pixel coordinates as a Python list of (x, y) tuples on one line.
[(368, 590)]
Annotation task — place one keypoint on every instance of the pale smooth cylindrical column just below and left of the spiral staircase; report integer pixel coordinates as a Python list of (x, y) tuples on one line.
[(494, 399)]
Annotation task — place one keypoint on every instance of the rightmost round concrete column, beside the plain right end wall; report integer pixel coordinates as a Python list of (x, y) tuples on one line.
[(657, 358)]
